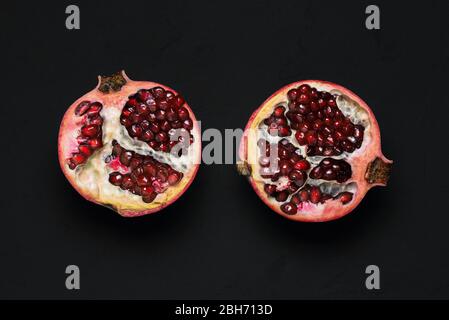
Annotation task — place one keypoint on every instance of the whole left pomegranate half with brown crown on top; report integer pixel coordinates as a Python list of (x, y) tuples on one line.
[(133, 146)]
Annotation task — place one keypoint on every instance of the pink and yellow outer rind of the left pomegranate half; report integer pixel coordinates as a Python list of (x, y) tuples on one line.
[(67, 144)]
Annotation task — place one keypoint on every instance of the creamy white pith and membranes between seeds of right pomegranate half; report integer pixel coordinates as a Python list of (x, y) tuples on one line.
[(351, 109)]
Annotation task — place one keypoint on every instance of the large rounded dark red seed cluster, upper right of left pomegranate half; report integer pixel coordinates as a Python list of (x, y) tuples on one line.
[(157, 117)]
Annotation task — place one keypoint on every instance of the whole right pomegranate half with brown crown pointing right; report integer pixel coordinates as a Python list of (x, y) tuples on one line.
[(312, 150)]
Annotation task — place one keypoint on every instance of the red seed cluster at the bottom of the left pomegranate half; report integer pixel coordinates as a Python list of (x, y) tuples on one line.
[(147, 177)]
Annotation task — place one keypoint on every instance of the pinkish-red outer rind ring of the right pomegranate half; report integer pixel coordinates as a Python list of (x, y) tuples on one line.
[(331, 209)]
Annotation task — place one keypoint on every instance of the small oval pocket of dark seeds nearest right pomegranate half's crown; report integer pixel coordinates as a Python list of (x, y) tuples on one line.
[(332, 169)]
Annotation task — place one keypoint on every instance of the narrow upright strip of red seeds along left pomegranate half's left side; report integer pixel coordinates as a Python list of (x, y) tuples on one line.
[(90, 137)]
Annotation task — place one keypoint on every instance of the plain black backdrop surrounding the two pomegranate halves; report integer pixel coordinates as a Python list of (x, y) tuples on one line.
[(219, 240)]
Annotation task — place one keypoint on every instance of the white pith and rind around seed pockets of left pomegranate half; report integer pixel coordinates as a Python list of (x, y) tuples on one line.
[(91, 178)]
